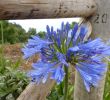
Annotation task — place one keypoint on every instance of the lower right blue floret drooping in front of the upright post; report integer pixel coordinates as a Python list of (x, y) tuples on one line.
[(91, 73)]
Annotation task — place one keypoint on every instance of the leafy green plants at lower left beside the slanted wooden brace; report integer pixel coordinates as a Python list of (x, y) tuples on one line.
[(12, 80)]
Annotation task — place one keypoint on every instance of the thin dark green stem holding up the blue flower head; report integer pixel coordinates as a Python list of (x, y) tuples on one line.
[(66, 84)]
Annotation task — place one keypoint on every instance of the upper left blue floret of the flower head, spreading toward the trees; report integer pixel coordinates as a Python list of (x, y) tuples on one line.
[(34, 46)]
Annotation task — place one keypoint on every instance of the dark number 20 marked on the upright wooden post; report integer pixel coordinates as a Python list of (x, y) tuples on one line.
[(103, 18)]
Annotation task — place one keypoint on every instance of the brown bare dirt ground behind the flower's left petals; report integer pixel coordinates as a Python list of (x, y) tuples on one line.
[(14, 53)]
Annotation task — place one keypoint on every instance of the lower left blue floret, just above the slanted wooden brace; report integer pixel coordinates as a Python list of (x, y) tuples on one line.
[(41, 71)]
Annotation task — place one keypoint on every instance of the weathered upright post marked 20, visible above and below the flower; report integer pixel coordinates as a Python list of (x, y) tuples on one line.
[(101, 26)]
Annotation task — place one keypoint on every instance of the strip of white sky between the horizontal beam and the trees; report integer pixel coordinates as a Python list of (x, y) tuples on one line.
[(40, 24)]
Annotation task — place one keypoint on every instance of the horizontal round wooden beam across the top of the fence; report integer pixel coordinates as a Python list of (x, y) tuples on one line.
[(36, 9)]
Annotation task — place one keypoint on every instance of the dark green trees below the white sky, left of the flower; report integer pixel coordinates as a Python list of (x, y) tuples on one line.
[(14, 33)]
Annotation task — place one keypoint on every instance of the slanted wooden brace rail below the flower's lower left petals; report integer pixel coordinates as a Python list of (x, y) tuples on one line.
[(36, 92)]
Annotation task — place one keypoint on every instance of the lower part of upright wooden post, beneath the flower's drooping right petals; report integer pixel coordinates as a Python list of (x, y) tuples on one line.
[(80, 92)]
